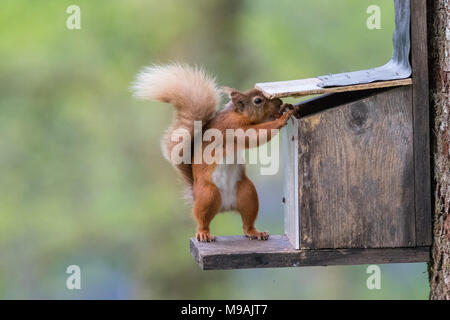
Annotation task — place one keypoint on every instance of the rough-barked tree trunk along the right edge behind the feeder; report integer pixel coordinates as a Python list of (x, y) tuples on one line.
[(439, 63)]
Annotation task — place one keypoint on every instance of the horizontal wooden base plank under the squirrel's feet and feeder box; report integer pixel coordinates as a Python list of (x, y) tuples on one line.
[(237, 252)]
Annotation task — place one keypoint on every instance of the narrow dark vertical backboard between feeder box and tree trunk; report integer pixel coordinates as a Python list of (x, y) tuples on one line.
[(420, 104)]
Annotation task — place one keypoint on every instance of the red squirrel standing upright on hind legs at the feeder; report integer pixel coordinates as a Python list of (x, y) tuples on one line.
[(216, 187)]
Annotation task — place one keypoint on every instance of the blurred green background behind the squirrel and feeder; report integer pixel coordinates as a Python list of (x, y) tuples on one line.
[(83, 180)]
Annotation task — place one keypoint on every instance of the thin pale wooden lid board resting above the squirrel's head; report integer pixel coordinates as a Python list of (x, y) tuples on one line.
[(304, 87)]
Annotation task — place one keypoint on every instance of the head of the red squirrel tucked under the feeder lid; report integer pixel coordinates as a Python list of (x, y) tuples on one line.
[(254, 105)]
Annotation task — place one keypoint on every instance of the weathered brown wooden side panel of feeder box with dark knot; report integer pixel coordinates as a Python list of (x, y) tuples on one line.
[(356, 174)]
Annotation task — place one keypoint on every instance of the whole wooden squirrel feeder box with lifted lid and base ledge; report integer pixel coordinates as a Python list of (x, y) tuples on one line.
[(357, 180)]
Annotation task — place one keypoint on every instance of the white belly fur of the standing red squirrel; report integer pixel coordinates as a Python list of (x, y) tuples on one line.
[(226, 178)]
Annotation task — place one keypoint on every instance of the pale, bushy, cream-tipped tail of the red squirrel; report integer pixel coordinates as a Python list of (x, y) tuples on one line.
[(190, 90)]
